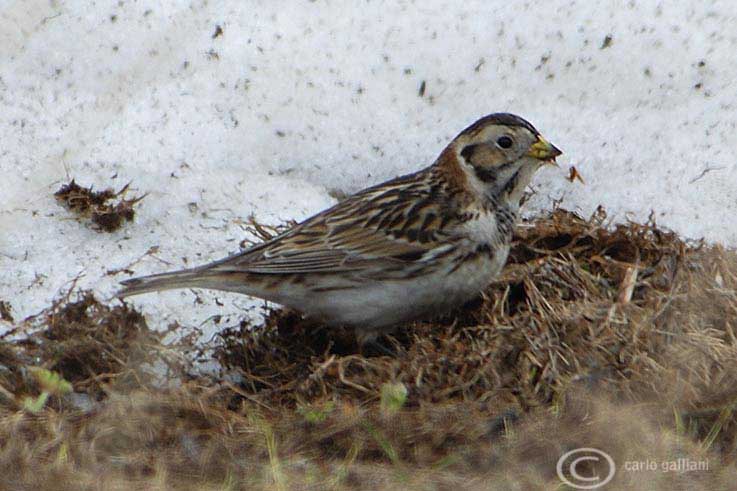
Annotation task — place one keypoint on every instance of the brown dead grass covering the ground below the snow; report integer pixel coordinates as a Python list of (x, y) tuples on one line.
[(615, 338)]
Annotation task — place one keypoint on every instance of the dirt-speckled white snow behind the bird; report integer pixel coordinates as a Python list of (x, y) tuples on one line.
[(296, 100)]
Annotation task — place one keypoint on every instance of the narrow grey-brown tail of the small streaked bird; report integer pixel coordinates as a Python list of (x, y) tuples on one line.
[(186, 278)]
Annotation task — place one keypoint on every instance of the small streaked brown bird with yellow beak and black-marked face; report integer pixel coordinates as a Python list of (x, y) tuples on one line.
[(414, 246)]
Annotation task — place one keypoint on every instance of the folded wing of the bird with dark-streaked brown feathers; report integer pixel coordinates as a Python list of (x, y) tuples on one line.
[(388, 225)]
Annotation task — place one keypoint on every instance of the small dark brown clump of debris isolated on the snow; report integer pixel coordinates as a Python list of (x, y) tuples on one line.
[(106, 209)]
